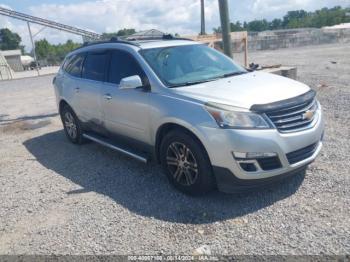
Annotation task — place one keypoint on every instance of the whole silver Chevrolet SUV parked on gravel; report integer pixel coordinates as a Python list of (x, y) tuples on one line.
[(208, 121)]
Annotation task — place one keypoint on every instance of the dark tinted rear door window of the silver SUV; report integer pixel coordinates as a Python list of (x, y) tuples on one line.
[(95, 66)]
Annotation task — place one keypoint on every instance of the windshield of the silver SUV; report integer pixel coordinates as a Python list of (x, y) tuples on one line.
[(190, 64)]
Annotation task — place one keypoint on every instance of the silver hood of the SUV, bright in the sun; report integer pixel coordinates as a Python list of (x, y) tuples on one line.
[(245, 90)]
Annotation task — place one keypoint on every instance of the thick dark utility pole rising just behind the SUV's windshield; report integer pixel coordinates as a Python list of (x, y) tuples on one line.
[(225, 27)]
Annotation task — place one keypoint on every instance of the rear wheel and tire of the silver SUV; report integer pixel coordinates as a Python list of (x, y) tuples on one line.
[(72, 125)]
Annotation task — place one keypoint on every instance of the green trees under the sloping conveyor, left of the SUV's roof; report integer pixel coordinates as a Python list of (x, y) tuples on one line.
[(53, 54)]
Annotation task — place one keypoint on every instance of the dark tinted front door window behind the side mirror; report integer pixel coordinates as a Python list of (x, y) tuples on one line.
[(123, 65)]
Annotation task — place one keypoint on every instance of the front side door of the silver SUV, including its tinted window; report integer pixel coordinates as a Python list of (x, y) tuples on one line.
[(126, 111)]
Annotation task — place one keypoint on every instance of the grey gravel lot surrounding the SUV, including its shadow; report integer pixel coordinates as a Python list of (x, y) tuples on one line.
[(59, 198)]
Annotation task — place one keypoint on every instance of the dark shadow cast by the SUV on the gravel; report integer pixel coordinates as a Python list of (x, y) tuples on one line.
[(144, 189)]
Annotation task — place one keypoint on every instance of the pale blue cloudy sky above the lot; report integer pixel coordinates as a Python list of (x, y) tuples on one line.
[(172, 16)]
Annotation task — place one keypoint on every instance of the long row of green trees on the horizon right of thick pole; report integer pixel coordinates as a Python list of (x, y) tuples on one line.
[(295, 19)]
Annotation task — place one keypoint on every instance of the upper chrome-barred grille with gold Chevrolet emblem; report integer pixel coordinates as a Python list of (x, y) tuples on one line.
[(294, 118)]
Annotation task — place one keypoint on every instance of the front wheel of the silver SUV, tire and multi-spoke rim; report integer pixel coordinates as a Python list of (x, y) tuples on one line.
[(186, 163)]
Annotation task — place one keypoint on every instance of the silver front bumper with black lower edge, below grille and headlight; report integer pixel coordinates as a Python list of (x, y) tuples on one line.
[(230, 176)]
